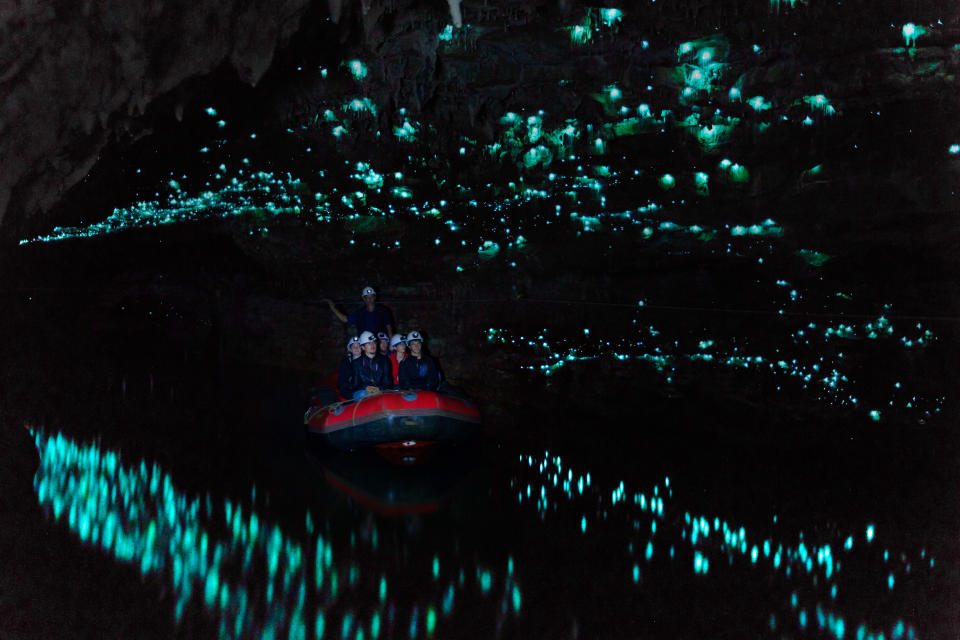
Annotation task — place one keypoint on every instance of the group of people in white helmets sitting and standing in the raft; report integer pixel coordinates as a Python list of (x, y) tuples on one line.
[(379, 359)]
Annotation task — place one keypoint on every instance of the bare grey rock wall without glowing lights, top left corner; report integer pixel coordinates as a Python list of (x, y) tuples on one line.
[(76, 75)]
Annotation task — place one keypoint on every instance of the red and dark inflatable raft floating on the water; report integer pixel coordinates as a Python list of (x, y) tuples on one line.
[(394, 419)]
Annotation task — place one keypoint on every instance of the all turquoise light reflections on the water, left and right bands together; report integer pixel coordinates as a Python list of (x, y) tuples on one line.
[(258, 580)]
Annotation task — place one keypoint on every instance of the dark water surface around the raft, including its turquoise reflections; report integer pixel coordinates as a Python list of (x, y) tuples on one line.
[(153, 488)]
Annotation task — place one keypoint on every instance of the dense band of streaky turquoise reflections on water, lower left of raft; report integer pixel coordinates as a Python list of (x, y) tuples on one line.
[(257, 579)]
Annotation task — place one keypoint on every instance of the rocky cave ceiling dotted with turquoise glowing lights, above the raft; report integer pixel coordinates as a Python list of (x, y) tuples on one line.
[(719, 103)]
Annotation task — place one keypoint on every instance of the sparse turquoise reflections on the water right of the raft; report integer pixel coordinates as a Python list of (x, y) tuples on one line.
[(812, 569)]
